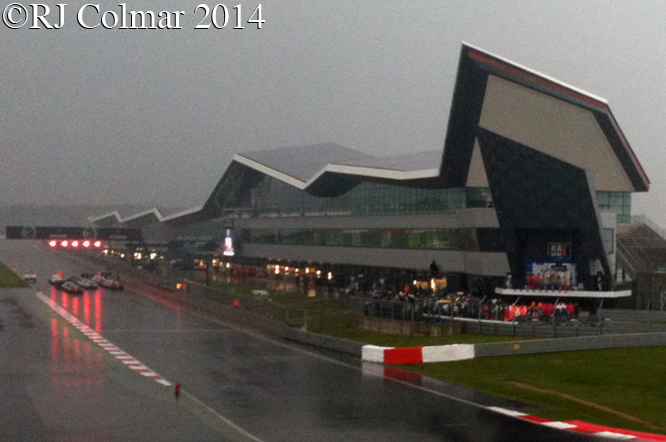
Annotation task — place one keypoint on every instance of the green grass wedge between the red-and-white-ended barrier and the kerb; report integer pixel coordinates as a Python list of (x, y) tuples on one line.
[(628, 381)]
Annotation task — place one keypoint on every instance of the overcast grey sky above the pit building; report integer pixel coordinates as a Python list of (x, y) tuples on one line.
[(154, 116)]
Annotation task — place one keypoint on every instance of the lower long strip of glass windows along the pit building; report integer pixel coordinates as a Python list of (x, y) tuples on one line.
[(442, 239)]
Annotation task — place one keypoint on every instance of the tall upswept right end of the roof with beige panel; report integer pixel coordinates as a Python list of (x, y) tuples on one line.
[(539, 112)]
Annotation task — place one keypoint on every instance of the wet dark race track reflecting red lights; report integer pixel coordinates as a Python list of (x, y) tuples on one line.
[(59, 385)]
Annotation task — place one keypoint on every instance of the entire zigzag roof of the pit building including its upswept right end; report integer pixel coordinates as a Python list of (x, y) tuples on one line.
[(491, 94)]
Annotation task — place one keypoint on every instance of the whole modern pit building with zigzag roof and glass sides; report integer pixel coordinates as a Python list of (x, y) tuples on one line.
[(532, 181)]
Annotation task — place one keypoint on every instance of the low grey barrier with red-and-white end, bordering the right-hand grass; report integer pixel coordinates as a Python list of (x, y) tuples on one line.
[(458, 352)]
